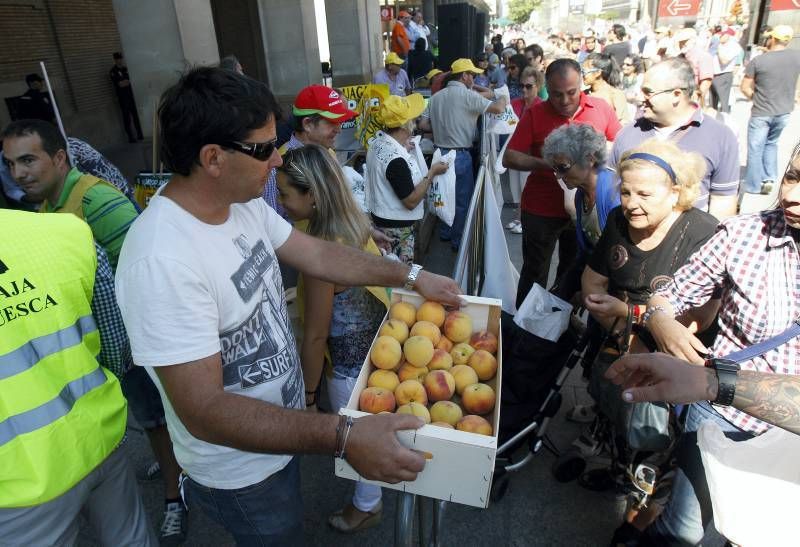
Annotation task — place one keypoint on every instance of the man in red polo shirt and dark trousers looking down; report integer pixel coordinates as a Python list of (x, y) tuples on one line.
[(544, 219)]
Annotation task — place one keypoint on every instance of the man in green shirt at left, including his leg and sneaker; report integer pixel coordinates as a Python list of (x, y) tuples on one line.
[(37, 159)]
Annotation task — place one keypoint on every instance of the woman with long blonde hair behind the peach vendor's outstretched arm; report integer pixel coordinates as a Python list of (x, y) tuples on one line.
[(339, 323)]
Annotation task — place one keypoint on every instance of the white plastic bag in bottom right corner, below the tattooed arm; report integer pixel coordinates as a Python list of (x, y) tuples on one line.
[(754, 485)]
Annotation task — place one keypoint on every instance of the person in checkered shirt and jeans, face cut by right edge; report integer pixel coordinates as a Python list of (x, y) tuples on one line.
[(753, 261)]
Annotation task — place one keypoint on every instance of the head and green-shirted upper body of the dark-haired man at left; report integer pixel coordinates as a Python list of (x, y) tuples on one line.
[(36, 154)]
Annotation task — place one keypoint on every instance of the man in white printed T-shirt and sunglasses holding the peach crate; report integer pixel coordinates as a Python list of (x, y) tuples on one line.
[(200, 292)]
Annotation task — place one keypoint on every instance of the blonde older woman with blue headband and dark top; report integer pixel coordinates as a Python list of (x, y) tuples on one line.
[(650, 235)]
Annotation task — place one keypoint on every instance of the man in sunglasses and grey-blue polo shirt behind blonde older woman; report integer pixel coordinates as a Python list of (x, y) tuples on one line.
[(669, 113)]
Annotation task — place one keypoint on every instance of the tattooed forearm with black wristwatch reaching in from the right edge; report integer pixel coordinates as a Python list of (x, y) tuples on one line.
[(773, 398)]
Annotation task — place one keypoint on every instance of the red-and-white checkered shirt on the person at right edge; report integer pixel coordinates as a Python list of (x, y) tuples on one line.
[(755, 261)]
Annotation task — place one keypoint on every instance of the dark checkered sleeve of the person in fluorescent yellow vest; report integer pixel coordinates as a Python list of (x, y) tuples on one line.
[(115, 348)]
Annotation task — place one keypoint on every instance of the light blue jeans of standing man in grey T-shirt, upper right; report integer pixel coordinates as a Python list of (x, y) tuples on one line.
[(763, 133)]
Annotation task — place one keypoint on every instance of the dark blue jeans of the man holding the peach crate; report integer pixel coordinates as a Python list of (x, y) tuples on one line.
[(267, 513)]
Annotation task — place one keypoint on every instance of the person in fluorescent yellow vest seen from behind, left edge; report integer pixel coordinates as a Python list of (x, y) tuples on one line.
[(62, 414)]
